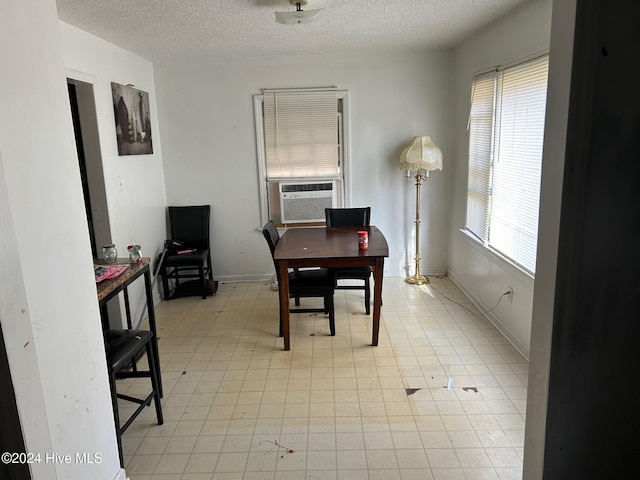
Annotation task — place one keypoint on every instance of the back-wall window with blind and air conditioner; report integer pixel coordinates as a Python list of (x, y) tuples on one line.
[(301, 148)]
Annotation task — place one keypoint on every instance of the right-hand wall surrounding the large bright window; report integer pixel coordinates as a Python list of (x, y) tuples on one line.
[(484, 277)]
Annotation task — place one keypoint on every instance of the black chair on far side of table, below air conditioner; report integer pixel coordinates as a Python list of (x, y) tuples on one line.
[(352, 217)]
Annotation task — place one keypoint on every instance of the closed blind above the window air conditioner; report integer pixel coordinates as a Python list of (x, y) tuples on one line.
[(301, 134)]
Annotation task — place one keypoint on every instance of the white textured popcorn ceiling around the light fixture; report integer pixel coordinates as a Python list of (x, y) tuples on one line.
[(165, 30)]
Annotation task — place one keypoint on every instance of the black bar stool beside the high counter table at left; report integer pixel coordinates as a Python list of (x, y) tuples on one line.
[(122, 348)]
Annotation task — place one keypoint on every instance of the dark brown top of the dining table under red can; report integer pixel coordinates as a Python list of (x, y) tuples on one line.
[(332, 242)]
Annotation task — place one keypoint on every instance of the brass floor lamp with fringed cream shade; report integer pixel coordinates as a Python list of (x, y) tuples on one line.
[(420, 157)]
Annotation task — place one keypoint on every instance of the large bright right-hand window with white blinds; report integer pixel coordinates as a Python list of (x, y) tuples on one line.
[(506, 132)]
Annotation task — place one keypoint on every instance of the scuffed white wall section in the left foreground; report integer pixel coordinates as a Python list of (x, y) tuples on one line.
[(48, 305)]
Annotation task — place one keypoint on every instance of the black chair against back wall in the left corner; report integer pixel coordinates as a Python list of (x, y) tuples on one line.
[(189, 256)]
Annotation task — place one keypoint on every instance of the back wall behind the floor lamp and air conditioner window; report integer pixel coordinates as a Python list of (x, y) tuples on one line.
[(209, 151)]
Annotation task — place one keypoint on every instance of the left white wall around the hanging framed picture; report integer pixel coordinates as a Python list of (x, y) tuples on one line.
[(134, 184)]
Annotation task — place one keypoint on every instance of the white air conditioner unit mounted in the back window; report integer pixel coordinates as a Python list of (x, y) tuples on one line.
[(305, 202)]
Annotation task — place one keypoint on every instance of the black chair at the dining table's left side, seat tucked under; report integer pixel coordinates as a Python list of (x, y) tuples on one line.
[(319, 282)]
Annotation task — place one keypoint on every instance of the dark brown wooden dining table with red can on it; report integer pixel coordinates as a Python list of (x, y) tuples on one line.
[(334, 247)]
